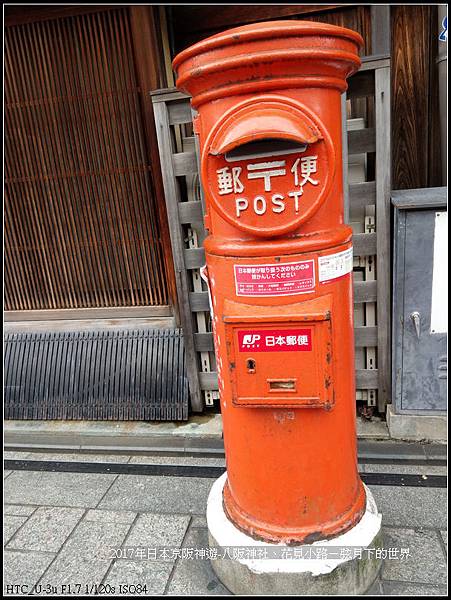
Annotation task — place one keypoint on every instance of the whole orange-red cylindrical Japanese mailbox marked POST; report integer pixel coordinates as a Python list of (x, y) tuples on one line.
[(279, 263)]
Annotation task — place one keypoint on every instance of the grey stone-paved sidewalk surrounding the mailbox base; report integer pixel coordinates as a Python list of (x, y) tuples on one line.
[(64, 529)]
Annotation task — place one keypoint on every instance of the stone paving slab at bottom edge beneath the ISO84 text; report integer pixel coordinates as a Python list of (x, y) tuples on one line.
[(154, 575)]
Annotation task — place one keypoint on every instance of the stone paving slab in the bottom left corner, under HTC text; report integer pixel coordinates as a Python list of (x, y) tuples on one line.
[(24, 568)]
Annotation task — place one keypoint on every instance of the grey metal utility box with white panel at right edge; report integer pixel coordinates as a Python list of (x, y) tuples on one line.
[(420, 311)]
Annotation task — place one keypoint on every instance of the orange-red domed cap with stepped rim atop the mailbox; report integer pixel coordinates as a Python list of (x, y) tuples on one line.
[(268, 56)]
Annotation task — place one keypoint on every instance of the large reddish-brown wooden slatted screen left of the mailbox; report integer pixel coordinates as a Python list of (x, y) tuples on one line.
[(82, 228)]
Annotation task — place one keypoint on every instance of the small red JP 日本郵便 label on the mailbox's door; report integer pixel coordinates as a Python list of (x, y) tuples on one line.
[(275, 340)]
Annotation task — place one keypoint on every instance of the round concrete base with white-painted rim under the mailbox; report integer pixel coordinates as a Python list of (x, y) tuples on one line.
[(347, 564)]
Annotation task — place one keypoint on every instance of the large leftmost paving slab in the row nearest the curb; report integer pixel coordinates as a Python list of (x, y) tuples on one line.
[(83, 490)]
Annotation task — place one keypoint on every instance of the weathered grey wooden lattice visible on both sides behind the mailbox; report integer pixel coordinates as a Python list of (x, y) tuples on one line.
[(368, 202)]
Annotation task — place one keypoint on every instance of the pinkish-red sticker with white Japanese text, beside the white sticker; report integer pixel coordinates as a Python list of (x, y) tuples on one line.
[(275, 280)]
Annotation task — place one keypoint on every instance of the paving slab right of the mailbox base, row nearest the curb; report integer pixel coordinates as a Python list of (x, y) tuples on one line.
[(410, 506)]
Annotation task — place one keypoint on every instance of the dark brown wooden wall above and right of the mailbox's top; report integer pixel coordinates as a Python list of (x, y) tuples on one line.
[(409, 33)]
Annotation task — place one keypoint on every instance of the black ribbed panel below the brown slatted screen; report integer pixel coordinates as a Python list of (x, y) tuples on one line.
[(106, 375)]
